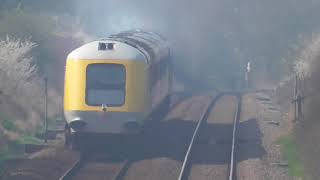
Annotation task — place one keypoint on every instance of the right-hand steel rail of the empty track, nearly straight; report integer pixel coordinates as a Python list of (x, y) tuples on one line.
[(232, 168)]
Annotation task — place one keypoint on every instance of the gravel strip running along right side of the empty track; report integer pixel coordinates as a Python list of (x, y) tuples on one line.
[(261, 126)]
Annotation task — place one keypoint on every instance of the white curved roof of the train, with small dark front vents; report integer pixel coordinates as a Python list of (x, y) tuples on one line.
[(129, 45)]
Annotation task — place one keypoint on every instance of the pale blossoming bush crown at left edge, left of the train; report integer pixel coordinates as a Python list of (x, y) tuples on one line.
[(17, 69)]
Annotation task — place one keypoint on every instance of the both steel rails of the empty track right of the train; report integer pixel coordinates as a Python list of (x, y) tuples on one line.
[(186, 166)]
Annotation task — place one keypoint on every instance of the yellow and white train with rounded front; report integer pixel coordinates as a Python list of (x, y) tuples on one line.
[(113, 85)]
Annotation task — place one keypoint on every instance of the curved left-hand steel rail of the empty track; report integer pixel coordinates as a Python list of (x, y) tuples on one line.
[(184, 169)]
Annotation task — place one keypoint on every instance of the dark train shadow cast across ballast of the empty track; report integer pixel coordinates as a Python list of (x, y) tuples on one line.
[(170, 139)]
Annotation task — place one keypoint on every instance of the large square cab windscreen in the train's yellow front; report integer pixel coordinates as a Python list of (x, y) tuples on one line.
[(105, 85)]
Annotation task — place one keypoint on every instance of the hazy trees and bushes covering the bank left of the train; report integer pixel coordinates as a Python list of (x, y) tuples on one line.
[(32, 43)]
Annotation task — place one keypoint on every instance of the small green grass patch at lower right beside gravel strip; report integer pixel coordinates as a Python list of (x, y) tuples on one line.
[(290, 151)]
